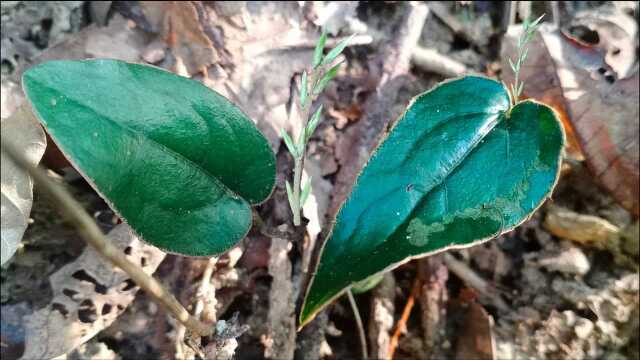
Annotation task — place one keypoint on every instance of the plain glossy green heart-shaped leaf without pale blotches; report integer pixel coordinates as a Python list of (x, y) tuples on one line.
[(175, 159)]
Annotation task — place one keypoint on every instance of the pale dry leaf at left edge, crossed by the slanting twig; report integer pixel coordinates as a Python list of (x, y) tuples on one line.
[(24, 131)]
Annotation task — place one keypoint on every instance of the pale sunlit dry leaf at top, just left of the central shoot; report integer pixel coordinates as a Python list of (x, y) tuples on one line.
[(266, 55)]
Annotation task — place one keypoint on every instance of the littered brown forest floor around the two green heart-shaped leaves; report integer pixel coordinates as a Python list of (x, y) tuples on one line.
[(565, 284)]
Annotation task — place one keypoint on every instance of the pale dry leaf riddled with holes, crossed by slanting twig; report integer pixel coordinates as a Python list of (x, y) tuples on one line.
[(88, 295)]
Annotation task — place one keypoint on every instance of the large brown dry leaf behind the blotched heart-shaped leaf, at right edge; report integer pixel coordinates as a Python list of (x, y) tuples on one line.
[(593, 103)]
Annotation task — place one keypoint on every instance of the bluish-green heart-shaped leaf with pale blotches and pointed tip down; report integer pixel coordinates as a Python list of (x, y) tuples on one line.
[(460, 167)]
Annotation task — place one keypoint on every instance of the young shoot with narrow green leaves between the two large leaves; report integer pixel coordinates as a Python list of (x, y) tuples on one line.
[(312, 84)]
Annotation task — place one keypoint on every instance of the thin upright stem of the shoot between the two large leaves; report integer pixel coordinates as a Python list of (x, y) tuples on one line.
[(305, 112)]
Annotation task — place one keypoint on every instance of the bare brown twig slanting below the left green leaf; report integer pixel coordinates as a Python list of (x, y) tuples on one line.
[(91, 233)]
